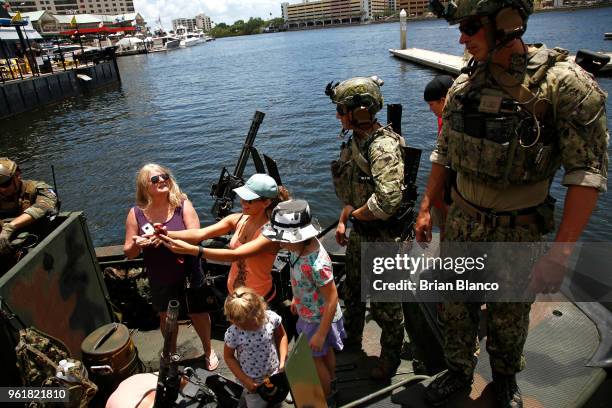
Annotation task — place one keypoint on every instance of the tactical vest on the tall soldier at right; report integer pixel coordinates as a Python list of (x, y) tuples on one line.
[(497, 140)]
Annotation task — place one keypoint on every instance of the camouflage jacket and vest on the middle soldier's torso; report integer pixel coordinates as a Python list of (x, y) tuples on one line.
[(382, 189)]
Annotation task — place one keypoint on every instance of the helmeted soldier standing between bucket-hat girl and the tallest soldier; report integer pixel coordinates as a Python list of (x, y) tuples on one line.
[(368, 180)]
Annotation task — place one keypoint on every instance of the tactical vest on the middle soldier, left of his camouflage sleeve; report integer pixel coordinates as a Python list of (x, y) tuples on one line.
[(351, 175)]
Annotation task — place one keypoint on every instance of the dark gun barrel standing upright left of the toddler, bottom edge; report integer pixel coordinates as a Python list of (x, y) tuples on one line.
[(168, 380)]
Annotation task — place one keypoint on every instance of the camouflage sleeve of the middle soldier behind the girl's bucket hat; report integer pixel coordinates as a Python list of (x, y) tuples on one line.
[(387, 167)]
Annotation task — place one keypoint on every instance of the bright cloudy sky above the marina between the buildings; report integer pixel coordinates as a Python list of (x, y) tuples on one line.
[(226, 11)]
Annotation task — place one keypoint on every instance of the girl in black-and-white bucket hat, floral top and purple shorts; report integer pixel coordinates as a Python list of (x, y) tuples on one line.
[(315, 297)]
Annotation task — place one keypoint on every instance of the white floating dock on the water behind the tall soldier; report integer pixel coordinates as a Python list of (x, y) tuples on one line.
[(452, 64)]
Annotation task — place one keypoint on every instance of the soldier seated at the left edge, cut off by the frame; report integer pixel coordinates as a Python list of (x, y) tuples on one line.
[(25, 201)]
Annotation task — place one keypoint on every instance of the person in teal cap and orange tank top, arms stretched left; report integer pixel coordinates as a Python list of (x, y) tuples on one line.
[(252, 255)]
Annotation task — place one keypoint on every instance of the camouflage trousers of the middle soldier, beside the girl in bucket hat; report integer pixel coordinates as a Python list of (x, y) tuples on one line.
[(386, 314)]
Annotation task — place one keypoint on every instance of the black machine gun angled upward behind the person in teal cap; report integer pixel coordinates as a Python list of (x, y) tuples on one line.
[(222, 191)]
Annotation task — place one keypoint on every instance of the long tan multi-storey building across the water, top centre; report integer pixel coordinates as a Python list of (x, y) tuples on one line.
[(326, 12)]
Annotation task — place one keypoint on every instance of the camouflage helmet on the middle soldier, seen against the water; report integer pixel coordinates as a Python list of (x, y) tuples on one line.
[(356, 92)]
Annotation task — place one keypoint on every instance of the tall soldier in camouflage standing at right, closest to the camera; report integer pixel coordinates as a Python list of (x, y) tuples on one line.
[(509, 124)]
